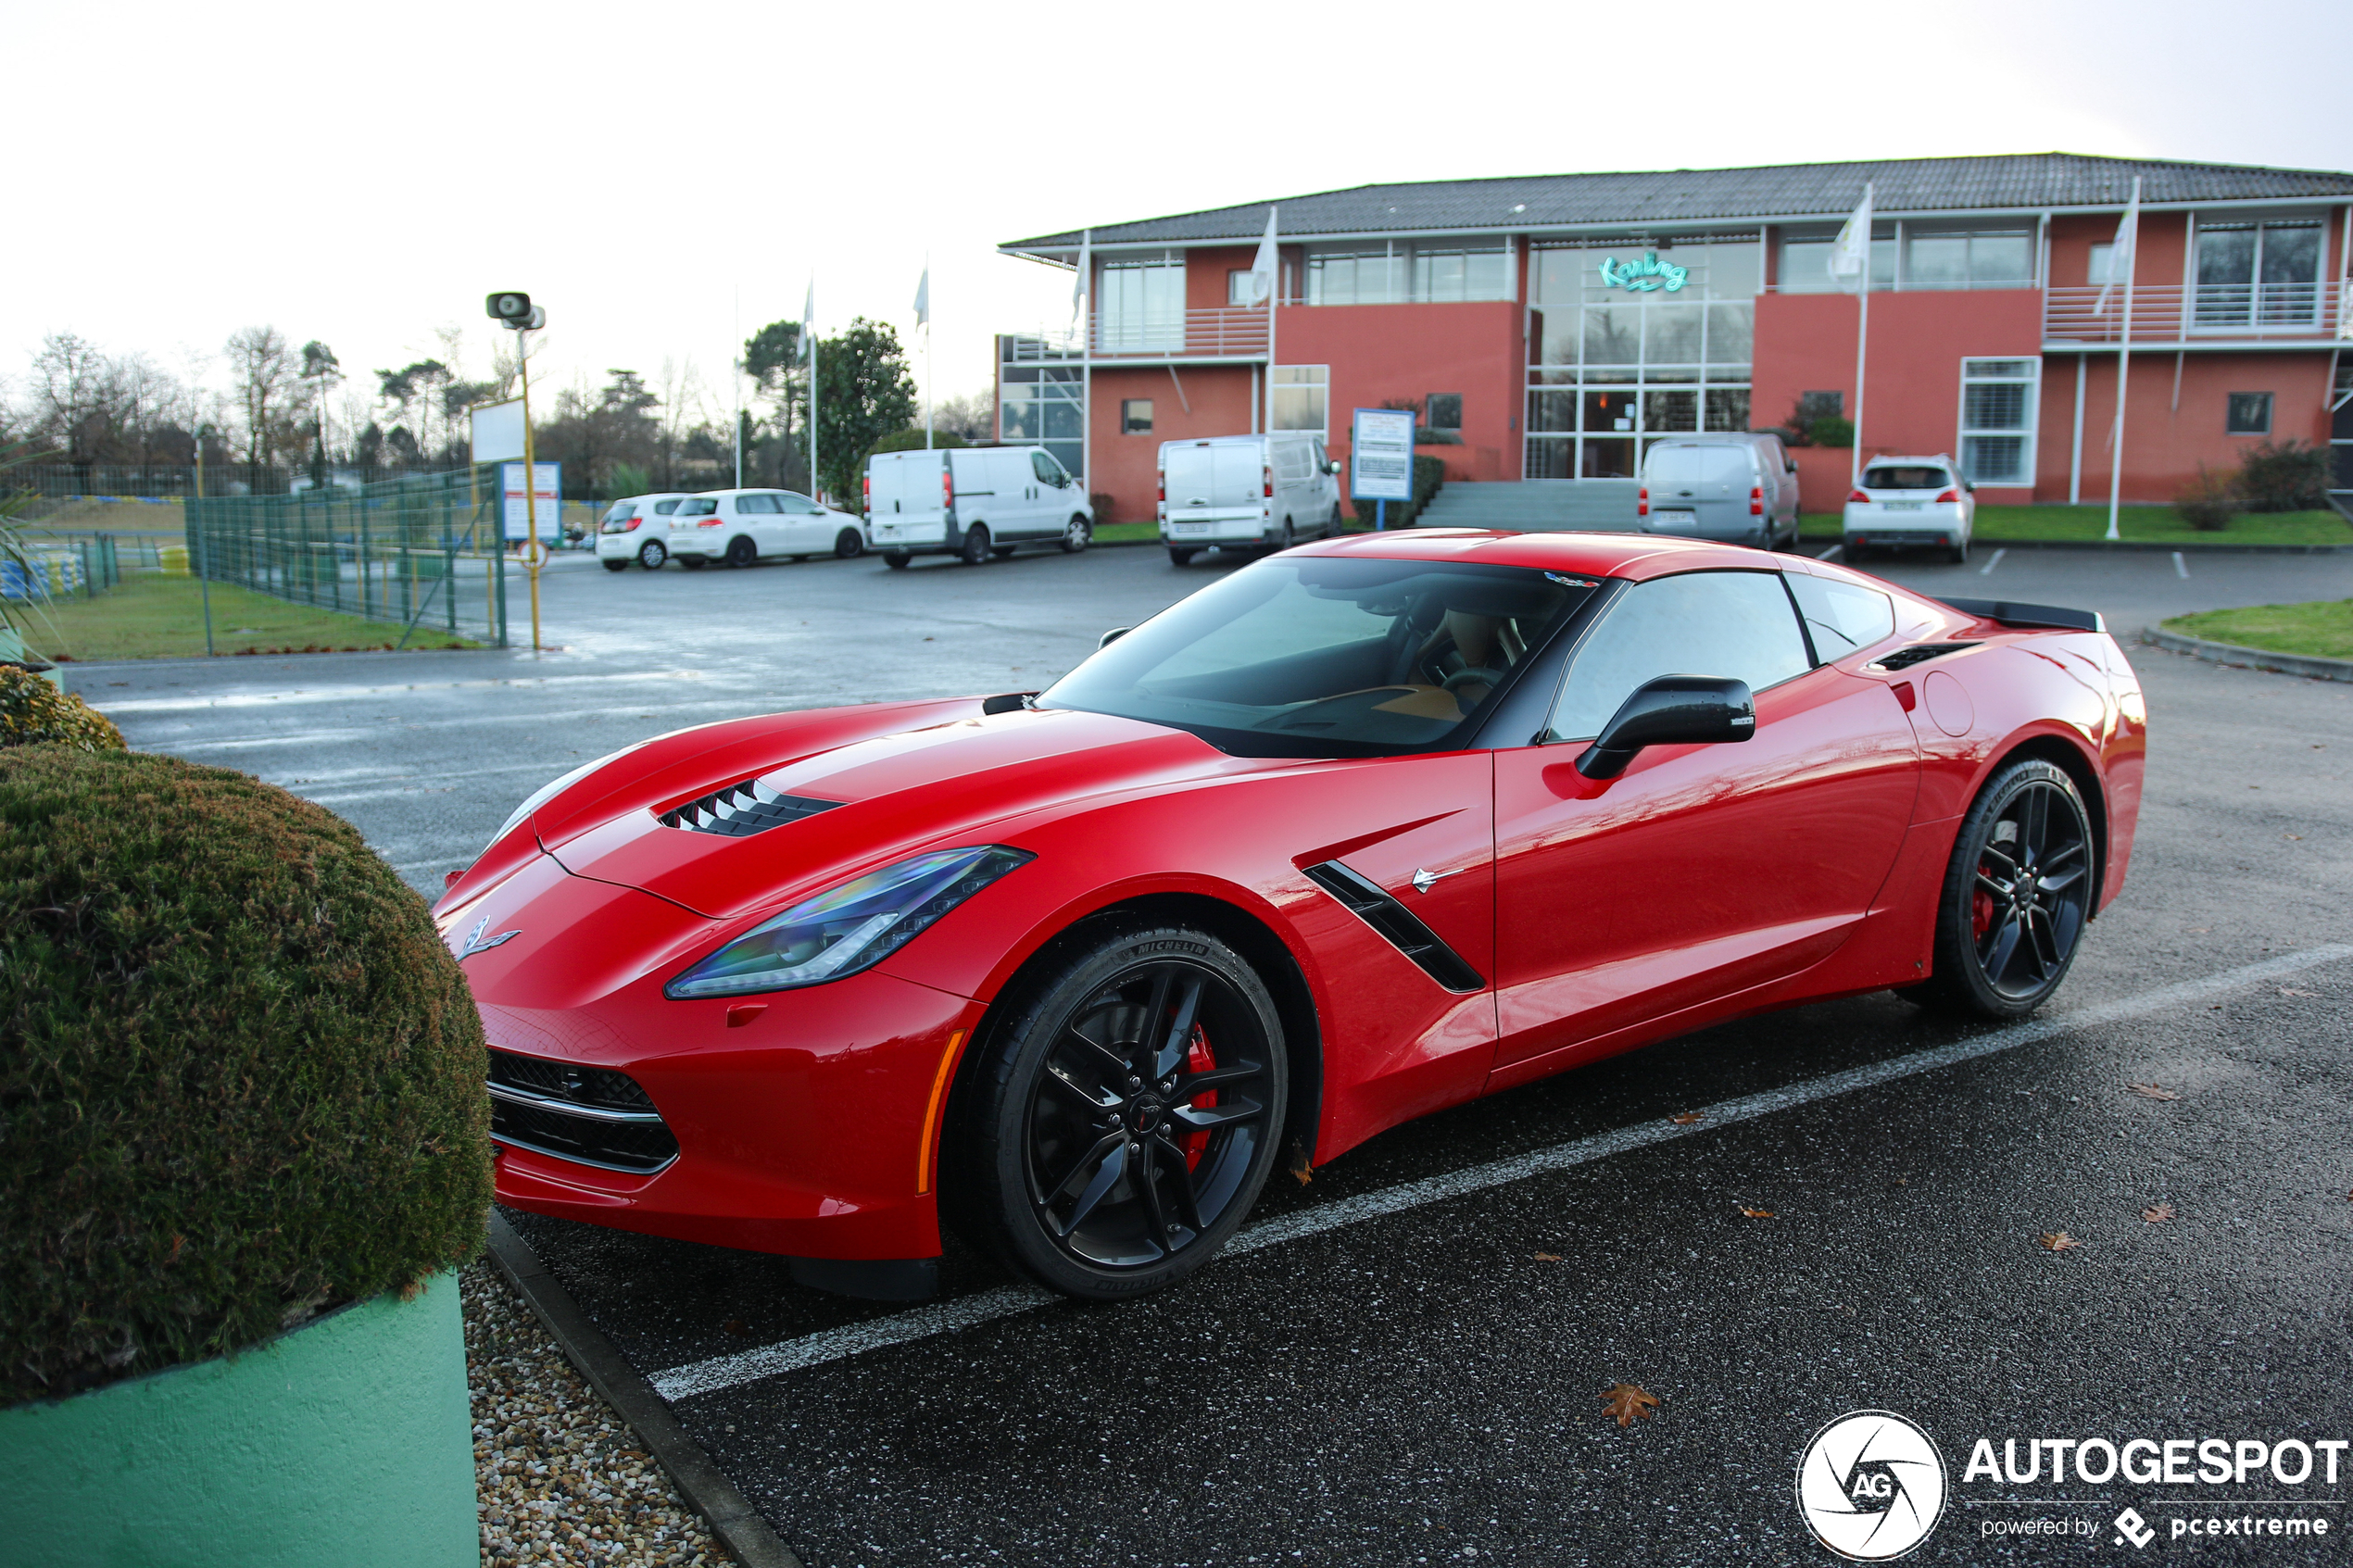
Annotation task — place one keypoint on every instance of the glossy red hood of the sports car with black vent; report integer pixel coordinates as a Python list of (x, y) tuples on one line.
[(895, 793)]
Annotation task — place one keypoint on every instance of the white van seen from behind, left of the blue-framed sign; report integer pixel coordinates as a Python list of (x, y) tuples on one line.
[(1246, 492)]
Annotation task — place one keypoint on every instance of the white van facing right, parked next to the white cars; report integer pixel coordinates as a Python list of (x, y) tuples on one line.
[(973, 502)]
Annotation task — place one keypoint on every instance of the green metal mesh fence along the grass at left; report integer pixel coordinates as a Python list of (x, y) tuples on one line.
[(413, 554)]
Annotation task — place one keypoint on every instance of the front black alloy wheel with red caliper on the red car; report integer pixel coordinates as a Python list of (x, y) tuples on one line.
[(1124, 1115)]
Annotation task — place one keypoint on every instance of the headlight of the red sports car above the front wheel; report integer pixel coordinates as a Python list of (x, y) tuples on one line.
[(851, 927)]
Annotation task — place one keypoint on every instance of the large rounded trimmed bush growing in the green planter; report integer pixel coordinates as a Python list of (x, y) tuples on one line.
[(241, 1076)]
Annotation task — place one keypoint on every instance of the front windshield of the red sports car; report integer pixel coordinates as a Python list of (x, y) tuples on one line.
[(1317, 657)]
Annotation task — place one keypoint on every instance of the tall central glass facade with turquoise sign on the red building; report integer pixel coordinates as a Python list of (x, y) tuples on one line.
[(1632, 340)]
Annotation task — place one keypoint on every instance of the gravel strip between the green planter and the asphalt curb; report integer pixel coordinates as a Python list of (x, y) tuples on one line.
[(559, 1475)]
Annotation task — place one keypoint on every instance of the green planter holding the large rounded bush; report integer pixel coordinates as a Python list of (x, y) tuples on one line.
[(342, 1445)]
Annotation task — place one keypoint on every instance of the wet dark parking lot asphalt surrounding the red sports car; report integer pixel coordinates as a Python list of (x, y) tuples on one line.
[(1415, 1374)]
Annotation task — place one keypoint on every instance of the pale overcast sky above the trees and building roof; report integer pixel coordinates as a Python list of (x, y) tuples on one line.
[(667, 177)]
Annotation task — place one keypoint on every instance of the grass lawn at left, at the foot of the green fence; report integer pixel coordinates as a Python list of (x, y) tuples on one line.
[(164, 617)]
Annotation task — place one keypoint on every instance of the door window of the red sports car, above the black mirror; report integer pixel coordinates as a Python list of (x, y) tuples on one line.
[(1726, 624)]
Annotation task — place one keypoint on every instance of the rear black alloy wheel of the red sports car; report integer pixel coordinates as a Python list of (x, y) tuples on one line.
[(2018, 897)]
